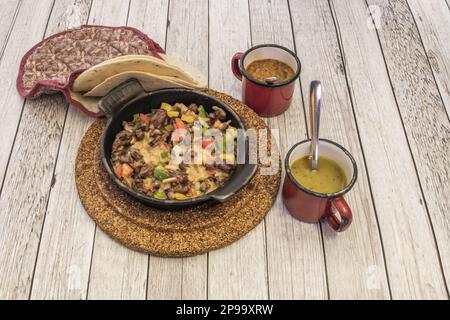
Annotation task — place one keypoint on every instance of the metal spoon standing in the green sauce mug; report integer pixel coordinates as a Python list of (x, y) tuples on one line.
[(315, 97)]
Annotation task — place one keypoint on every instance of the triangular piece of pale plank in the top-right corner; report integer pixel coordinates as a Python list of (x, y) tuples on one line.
[(433, 22)]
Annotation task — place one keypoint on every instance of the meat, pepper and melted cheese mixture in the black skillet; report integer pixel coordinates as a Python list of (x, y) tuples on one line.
[(144, 153)]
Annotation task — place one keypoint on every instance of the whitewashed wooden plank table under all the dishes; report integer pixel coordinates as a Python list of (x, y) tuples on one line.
[(385, 68)]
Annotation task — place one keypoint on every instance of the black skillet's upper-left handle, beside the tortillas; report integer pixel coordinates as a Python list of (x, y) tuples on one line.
[(120, 95)]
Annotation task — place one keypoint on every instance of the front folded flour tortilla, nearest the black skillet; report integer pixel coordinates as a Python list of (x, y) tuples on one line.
[(149, 82)]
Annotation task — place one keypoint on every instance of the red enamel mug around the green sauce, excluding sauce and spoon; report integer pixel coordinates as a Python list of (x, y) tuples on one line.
[(310, 206)]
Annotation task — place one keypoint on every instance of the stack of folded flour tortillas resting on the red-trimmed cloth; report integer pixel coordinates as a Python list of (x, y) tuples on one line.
[(151, 72)]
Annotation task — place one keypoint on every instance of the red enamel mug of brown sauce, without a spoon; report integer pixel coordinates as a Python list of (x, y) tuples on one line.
[(266, 99)]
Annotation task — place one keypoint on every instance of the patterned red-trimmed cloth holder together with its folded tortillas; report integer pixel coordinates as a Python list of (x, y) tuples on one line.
[(85, 63)]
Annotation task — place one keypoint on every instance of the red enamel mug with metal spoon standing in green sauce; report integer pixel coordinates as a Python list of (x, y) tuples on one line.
[(311, 206)]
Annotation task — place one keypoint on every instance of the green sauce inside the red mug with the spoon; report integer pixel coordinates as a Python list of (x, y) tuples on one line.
[(328, 178)]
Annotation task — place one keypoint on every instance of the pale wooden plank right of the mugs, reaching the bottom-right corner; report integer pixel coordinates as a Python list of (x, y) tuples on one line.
[(412, 260)]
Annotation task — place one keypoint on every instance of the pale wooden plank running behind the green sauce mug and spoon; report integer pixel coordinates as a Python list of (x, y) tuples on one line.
[(352, 255)]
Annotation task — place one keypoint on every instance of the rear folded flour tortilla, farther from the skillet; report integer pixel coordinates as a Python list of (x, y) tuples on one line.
[(97, 74)]
